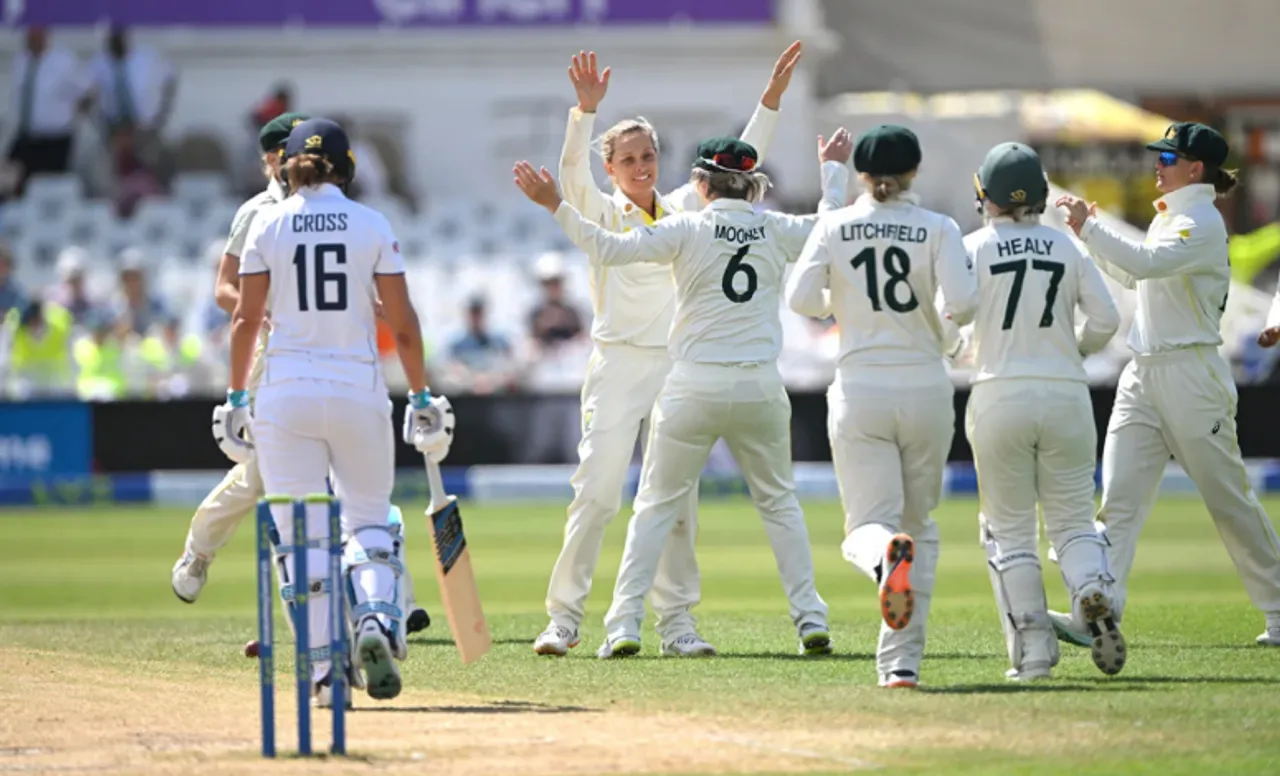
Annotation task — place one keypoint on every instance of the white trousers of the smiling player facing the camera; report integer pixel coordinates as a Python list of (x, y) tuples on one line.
[(623, 385)]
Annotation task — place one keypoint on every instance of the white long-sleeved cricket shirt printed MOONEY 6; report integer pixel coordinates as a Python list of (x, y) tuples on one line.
[(729, 263)]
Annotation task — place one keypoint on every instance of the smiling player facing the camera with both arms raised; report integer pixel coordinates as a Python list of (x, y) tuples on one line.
[(633, 309)]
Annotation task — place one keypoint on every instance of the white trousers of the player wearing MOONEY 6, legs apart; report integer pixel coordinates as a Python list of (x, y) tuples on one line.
[(701, 404)]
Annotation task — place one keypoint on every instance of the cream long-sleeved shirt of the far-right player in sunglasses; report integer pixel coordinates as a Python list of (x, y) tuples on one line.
[(1181, 272)]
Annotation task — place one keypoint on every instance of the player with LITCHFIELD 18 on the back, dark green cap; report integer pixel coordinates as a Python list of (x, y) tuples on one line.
[(879, 267)]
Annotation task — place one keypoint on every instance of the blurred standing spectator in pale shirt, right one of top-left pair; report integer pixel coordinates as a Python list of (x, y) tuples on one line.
[(135, 89)]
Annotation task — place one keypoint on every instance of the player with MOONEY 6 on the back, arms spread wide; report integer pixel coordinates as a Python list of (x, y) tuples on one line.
[(728, 263)]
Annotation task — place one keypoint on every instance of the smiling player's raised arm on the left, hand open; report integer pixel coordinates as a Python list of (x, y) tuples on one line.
[(575, 170)]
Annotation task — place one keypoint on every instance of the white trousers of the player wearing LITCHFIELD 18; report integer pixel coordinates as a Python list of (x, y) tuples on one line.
[(890, 431)]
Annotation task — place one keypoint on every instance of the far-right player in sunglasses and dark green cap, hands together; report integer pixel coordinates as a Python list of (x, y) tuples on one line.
[(1177, 396)]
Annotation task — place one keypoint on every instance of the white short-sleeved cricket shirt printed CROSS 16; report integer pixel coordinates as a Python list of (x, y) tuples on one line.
[(323, 253)]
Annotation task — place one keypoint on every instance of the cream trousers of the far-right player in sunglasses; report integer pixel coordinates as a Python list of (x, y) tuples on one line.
[(1183, 404)]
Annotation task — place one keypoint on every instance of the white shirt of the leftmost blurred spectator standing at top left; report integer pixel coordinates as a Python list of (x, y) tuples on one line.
[(61, 84)]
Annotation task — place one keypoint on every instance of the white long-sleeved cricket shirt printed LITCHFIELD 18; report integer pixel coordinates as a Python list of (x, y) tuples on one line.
[(893, 271)]
